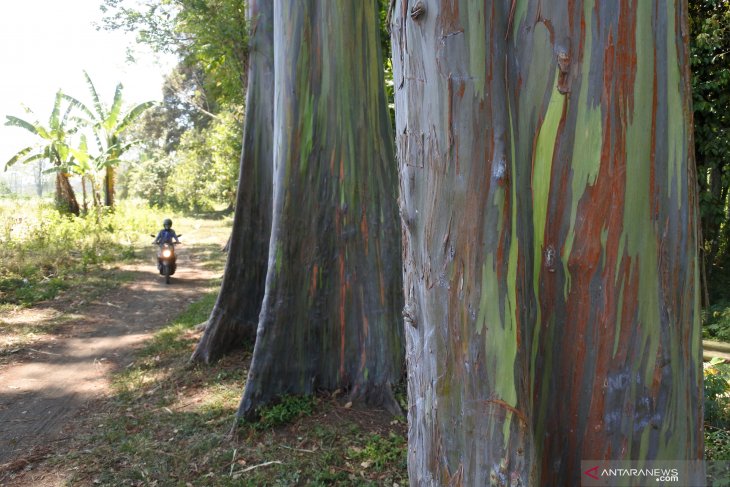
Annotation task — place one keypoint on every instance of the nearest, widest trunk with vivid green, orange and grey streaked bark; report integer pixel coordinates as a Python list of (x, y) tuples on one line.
[(549, 216)]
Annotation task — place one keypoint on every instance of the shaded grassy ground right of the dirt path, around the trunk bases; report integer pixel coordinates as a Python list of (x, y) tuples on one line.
[(168, 424)]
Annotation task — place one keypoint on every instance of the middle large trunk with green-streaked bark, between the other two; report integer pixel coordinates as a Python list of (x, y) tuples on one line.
[(331, 314)]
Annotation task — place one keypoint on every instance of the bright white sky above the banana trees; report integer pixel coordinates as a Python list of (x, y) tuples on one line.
[(45, 45)]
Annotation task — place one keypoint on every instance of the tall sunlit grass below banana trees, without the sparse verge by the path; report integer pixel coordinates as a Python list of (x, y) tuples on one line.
[(45, 253)]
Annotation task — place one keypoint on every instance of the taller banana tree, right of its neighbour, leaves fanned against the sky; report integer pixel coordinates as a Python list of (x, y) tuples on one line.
[(108, 124)]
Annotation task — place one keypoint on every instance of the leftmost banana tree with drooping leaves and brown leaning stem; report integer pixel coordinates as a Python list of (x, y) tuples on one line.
[(54, 147)]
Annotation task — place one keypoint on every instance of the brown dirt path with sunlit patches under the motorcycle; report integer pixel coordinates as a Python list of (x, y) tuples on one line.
[(62, 373)]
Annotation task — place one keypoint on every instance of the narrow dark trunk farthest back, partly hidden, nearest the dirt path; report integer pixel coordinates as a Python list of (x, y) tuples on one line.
[(235, 315)]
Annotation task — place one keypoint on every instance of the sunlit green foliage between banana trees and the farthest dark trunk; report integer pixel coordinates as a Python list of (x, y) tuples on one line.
[(193, 139)]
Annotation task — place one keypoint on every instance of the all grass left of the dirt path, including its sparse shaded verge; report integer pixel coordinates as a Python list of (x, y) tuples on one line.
[(52, 263)]
